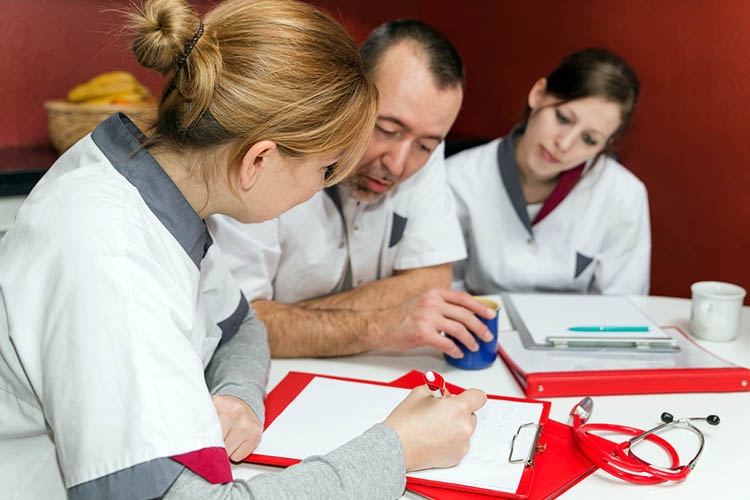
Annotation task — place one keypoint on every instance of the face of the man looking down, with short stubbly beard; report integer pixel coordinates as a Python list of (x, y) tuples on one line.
[(413, 118)]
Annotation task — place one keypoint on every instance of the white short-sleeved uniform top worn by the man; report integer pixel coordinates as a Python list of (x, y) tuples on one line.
[(303, 253)]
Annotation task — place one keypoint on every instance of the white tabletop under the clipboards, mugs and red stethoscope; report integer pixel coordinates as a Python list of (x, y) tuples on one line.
[(721, 471)]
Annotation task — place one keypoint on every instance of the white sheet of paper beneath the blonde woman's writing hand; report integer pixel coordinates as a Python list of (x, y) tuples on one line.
[(330, 412)]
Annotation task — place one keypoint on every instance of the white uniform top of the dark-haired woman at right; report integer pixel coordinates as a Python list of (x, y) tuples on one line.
[(597, 240)]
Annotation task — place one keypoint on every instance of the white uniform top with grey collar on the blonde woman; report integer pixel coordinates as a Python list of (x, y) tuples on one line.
[(107, 321)]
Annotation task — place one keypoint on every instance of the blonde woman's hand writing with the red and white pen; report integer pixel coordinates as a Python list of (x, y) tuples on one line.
[(435, 432)]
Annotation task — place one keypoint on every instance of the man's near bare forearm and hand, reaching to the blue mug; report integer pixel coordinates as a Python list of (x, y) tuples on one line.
[(295, 331)]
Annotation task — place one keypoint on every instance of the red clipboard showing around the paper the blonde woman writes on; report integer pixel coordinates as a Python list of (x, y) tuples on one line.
[(294, 382)]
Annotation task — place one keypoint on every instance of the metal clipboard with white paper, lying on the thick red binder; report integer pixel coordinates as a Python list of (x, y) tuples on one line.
[(543, 321)]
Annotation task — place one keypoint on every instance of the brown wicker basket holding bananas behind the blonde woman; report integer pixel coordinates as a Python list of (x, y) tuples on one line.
[(68, 122)]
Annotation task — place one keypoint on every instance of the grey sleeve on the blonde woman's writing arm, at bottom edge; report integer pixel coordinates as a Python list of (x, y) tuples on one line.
[(370, 466)]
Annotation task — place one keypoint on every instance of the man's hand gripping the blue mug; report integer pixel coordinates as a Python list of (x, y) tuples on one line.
[(421, 320)]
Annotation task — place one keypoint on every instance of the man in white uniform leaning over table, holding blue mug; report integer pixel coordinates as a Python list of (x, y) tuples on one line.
[(367, 264)]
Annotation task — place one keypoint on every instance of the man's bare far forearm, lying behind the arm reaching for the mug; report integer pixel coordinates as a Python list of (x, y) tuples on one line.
[(387, 292)]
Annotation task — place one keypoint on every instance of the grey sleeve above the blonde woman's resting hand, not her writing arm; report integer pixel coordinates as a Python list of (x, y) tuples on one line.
[(240, 366)]
